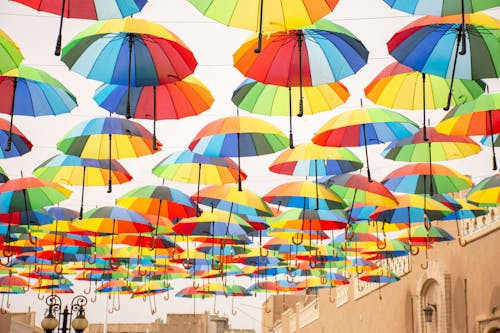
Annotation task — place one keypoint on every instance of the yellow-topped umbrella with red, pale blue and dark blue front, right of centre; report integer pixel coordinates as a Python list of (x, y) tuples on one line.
[(309, 159)]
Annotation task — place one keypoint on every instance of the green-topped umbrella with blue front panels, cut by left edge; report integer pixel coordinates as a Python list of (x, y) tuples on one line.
[(32, 92)]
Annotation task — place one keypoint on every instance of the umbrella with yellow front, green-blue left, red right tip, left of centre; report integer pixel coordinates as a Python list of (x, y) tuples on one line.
[(73, 170)]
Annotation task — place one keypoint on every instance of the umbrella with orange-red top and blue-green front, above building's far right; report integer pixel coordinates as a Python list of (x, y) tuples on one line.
[(422, 178)]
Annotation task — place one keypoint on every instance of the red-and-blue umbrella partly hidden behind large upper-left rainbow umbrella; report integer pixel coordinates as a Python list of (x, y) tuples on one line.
[(174, 100)]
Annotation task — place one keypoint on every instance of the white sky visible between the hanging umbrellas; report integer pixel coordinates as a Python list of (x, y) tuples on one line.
[(213, 45)]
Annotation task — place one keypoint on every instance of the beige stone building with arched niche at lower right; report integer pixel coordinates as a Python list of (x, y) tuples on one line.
[(460, 284)]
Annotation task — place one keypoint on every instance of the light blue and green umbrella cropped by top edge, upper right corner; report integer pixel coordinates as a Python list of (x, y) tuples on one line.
[(441, 7)]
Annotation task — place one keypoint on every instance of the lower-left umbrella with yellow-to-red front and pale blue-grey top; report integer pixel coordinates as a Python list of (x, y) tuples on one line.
[(113, 220)]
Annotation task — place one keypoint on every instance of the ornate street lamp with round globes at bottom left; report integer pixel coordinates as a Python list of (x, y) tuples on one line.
[(51, 323)]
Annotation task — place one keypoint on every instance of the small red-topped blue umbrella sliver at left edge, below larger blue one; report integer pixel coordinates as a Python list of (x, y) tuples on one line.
[(19, 144)]
